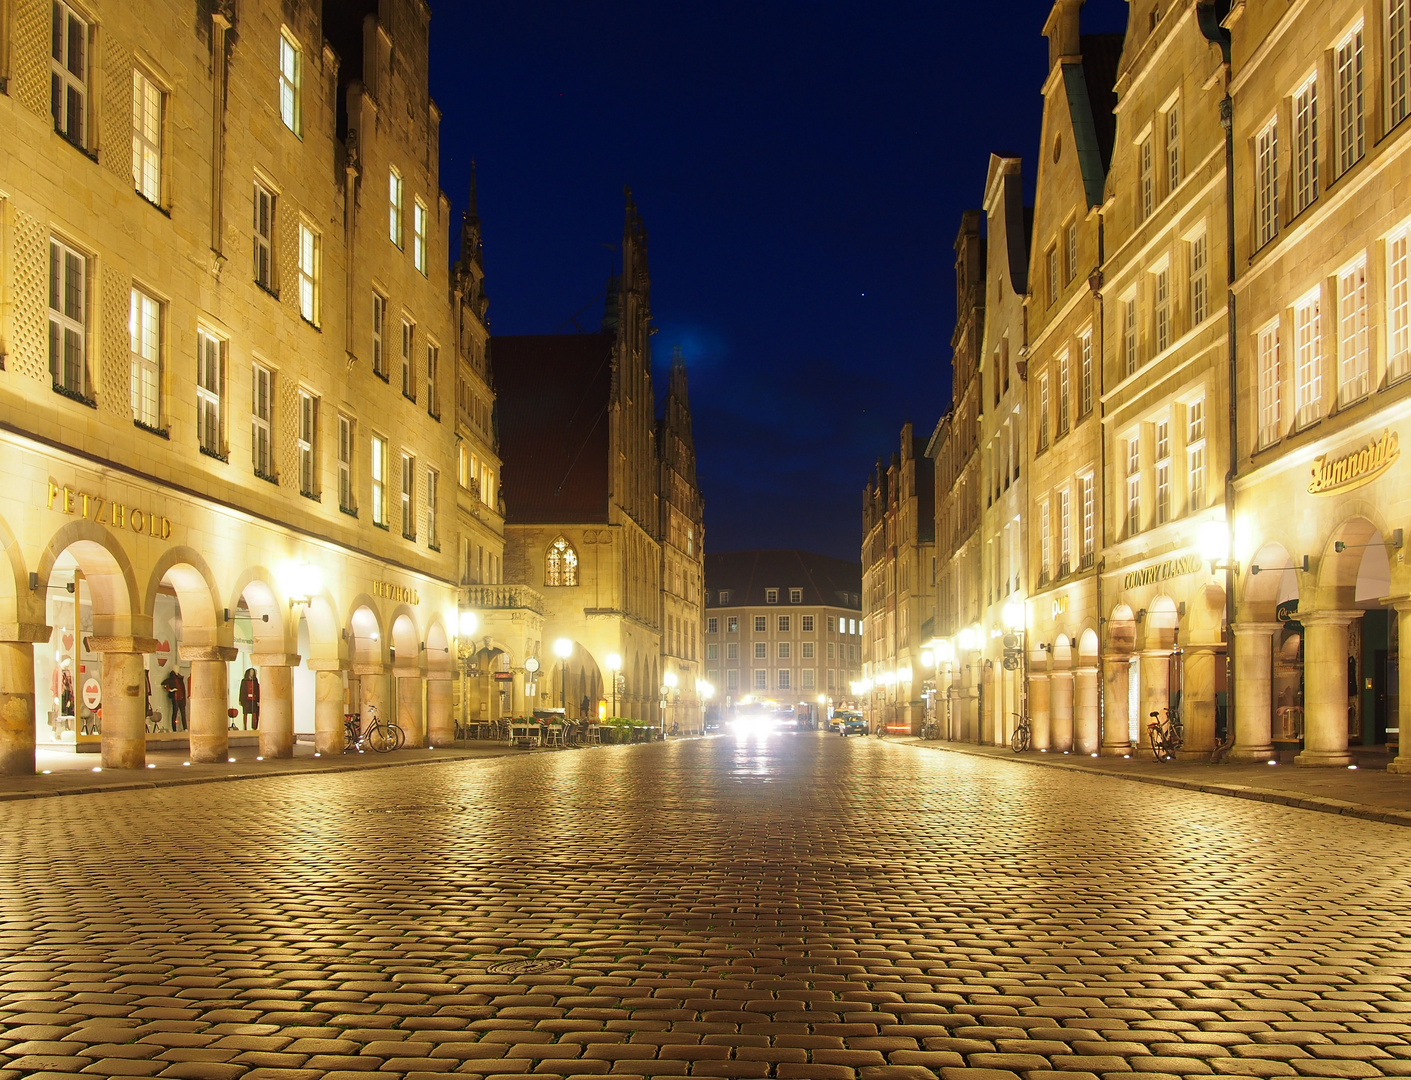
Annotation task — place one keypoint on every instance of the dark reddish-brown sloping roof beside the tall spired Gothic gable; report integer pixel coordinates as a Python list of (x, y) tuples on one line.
[(554, 395)]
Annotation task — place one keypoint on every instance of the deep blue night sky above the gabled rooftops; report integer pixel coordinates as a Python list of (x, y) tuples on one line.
[(801, 169)]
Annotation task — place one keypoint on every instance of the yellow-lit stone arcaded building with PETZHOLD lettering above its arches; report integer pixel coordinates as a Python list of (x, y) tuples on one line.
[(225, 407)]
